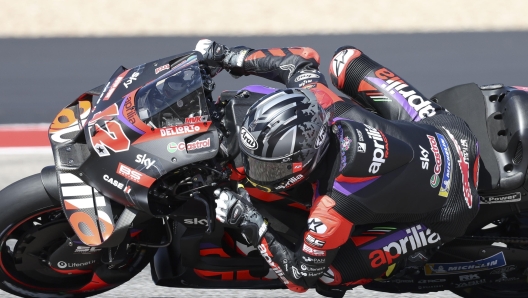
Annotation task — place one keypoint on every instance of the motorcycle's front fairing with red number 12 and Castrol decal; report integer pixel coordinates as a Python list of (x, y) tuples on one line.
[(107, 149)]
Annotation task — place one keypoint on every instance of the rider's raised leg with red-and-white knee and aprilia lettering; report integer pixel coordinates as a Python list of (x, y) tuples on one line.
[(374, 85)]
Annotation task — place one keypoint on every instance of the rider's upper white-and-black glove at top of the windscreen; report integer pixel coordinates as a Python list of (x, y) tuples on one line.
[(218, 57)]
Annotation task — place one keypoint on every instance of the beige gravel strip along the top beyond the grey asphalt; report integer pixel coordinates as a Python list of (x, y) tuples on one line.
[(80, 18)]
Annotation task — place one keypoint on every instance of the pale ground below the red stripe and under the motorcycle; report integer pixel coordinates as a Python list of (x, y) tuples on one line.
[(14, 167)]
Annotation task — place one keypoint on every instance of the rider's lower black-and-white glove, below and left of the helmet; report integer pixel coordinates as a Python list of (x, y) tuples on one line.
[(236, 210)]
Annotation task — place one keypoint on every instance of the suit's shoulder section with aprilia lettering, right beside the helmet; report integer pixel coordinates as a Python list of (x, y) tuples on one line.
[(368, 151)]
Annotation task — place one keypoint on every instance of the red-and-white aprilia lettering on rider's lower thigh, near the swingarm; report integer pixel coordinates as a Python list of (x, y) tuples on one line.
[(415, 237)]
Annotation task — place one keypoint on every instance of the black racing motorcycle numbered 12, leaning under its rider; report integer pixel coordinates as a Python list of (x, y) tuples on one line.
[(137, 161)]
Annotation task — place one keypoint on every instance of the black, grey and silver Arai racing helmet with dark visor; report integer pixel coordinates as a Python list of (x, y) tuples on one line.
[(283, 137)]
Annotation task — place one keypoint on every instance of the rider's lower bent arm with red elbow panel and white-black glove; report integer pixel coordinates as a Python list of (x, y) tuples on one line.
[(298, 266)]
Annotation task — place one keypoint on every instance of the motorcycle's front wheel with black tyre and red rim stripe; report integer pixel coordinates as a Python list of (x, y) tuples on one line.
[(32, 227)]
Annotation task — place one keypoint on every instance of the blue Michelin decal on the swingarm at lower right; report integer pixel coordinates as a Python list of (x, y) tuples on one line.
[(488, 263)]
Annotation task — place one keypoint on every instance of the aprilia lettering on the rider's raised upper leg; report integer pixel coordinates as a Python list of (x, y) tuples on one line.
[(393, 86)]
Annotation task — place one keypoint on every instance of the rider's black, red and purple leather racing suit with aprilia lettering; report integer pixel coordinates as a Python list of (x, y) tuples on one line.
[(395, 157)]
